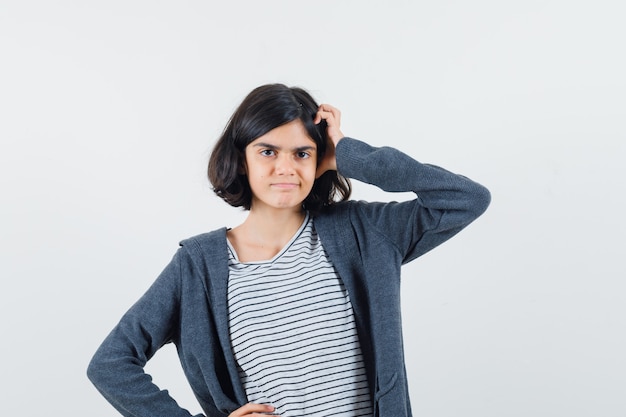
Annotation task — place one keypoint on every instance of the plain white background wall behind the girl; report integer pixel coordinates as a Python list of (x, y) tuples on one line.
[(109, 109)]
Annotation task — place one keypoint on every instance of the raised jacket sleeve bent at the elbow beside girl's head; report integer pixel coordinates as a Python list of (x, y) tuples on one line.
[(445, 202)]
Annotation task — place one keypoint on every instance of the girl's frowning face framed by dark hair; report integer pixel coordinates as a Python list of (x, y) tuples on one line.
[(281, 167)]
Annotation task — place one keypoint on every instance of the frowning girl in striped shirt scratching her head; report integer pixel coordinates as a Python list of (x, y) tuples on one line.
[(295, 312)]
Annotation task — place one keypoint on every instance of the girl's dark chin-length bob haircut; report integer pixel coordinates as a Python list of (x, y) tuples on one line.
[(265, 108)]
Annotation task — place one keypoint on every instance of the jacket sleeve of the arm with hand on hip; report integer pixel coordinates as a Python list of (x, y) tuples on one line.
[(117, 368)]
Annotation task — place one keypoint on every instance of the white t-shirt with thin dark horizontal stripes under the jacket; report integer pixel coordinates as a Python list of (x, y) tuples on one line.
[(293, 333)]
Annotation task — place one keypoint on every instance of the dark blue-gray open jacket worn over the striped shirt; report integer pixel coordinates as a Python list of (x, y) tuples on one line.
[(367, 243)]
